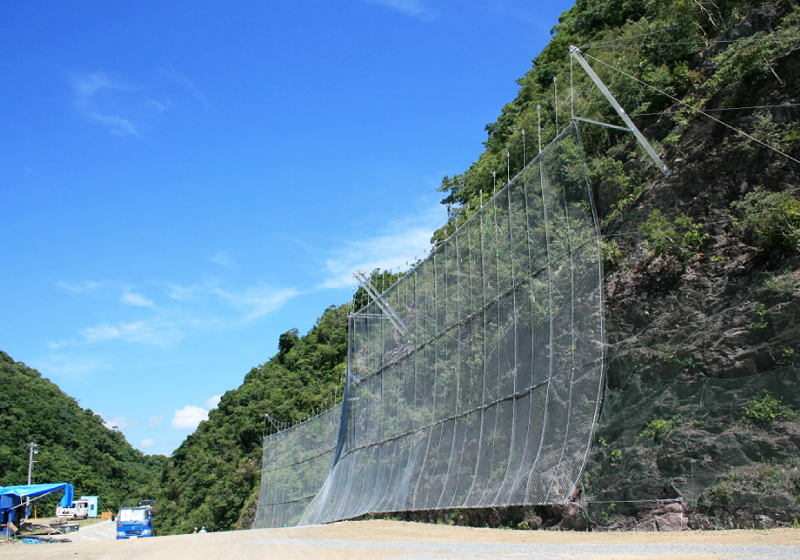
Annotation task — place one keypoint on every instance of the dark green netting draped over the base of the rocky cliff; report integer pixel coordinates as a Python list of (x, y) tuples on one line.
[(707, 443)]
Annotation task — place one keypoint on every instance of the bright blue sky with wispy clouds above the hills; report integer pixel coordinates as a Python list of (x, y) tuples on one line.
[(181, 182)]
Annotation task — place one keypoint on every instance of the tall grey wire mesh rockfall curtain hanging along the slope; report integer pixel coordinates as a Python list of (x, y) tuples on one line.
[(491, 395)]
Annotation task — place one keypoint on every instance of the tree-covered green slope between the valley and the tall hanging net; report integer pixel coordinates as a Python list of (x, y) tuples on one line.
[(213, 478)]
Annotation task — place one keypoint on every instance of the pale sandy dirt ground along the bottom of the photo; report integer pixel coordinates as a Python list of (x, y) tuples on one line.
[(369, 540)]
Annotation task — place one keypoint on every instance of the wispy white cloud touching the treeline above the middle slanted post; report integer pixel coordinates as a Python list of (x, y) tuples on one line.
[(402, 242)]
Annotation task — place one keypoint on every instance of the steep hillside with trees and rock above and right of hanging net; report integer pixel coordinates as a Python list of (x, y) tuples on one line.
[(702, 267)]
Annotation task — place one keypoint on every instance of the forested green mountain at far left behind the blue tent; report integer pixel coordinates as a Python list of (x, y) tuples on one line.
[(74, 446)]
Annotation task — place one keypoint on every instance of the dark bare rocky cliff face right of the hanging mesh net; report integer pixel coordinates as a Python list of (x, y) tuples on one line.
[(704, 328)]
